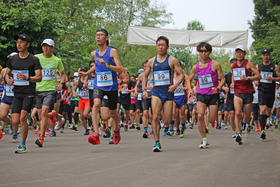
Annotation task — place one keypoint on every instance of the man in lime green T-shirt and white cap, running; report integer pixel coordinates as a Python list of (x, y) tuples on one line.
[(46, 89)]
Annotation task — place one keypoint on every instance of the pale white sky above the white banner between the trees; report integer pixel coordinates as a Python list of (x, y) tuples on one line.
[(215, 15)]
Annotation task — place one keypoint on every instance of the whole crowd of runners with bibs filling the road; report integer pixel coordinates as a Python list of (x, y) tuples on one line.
[(103, 97)]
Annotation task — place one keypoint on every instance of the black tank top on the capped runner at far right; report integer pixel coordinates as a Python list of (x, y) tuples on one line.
[(264, 70)]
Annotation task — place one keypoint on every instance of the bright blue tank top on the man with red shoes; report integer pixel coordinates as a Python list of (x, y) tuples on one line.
[(105, 78)]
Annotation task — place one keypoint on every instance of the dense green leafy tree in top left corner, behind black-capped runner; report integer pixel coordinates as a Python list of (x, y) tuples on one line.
[(39, 20)]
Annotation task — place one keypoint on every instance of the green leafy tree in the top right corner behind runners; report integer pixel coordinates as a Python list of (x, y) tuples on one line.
[(265, 28)]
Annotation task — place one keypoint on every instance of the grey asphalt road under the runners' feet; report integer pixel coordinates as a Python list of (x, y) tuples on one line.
[(69, 160)]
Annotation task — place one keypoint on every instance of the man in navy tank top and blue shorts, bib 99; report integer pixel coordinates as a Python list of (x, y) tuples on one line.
[(163, 66)]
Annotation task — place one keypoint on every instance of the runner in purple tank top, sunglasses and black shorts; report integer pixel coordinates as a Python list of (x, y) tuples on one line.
[(208, 71)]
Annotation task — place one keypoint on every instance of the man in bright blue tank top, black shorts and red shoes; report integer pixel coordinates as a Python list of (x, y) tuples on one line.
[(107, 64)]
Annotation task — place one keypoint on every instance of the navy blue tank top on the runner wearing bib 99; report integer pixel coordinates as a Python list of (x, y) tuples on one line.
[(163, 74)]
